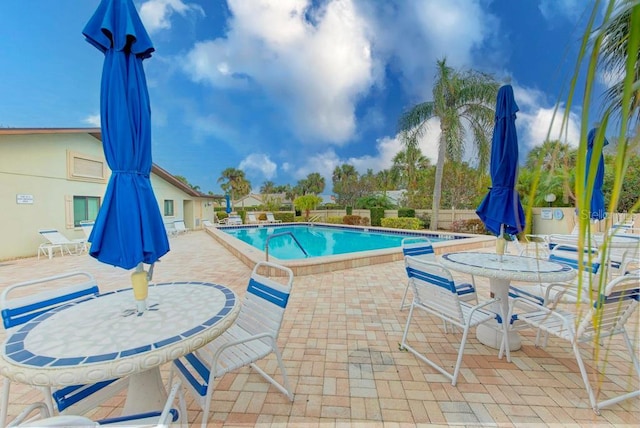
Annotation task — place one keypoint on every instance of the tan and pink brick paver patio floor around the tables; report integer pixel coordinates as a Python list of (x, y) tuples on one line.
[(340, 345)]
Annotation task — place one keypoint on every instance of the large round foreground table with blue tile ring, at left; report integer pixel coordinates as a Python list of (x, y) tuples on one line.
[(104, 338)]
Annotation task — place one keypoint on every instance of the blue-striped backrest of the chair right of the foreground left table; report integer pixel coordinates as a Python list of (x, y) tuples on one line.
[(266, 298)]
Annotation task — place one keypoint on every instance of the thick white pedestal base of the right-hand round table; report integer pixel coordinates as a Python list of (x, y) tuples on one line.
[(491, 335)]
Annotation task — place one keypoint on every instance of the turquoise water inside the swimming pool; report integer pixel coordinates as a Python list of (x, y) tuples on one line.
[(318, 241)]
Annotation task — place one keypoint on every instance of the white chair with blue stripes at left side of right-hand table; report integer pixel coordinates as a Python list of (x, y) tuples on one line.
[(435, 293)]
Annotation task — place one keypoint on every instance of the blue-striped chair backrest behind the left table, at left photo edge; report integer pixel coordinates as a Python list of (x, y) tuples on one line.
[(33, 301)]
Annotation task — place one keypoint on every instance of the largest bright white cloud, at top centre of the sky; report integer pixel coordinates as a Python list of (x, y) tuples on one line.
[(314, 71)]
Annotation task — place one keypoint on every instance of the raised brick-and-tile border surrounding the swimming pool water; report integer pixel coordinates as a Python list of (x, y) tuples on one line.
[(251, 255)]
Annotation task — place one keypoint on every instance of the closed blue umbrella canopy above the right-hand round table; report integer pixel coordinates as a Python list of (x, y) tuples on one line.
[(501, 208)]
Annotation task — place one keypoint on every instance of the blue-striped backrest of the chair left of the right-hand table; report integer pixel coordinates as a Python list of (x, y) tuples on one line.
[(433, 288)]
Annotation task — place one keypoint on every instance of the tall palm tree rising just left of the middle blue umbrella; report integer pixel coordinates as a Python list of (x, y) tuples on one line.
[(459, 99)]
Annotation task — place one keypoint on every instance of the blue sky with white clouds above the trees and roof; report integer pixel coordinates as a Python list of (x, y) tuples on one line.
[(285, 88)]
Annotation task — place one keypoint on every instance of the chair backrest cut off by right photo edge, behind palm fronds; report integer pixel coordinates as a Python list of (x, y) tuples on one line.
[(613, 308)]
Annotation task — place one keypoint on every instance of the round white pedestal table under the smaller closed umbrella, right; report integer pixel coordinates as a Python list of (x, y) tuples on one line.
[(500, 274)]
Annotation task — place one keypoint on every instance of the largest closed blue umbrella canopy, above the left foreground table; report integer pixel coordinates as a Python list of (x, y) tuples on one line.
[(129, 229)]
